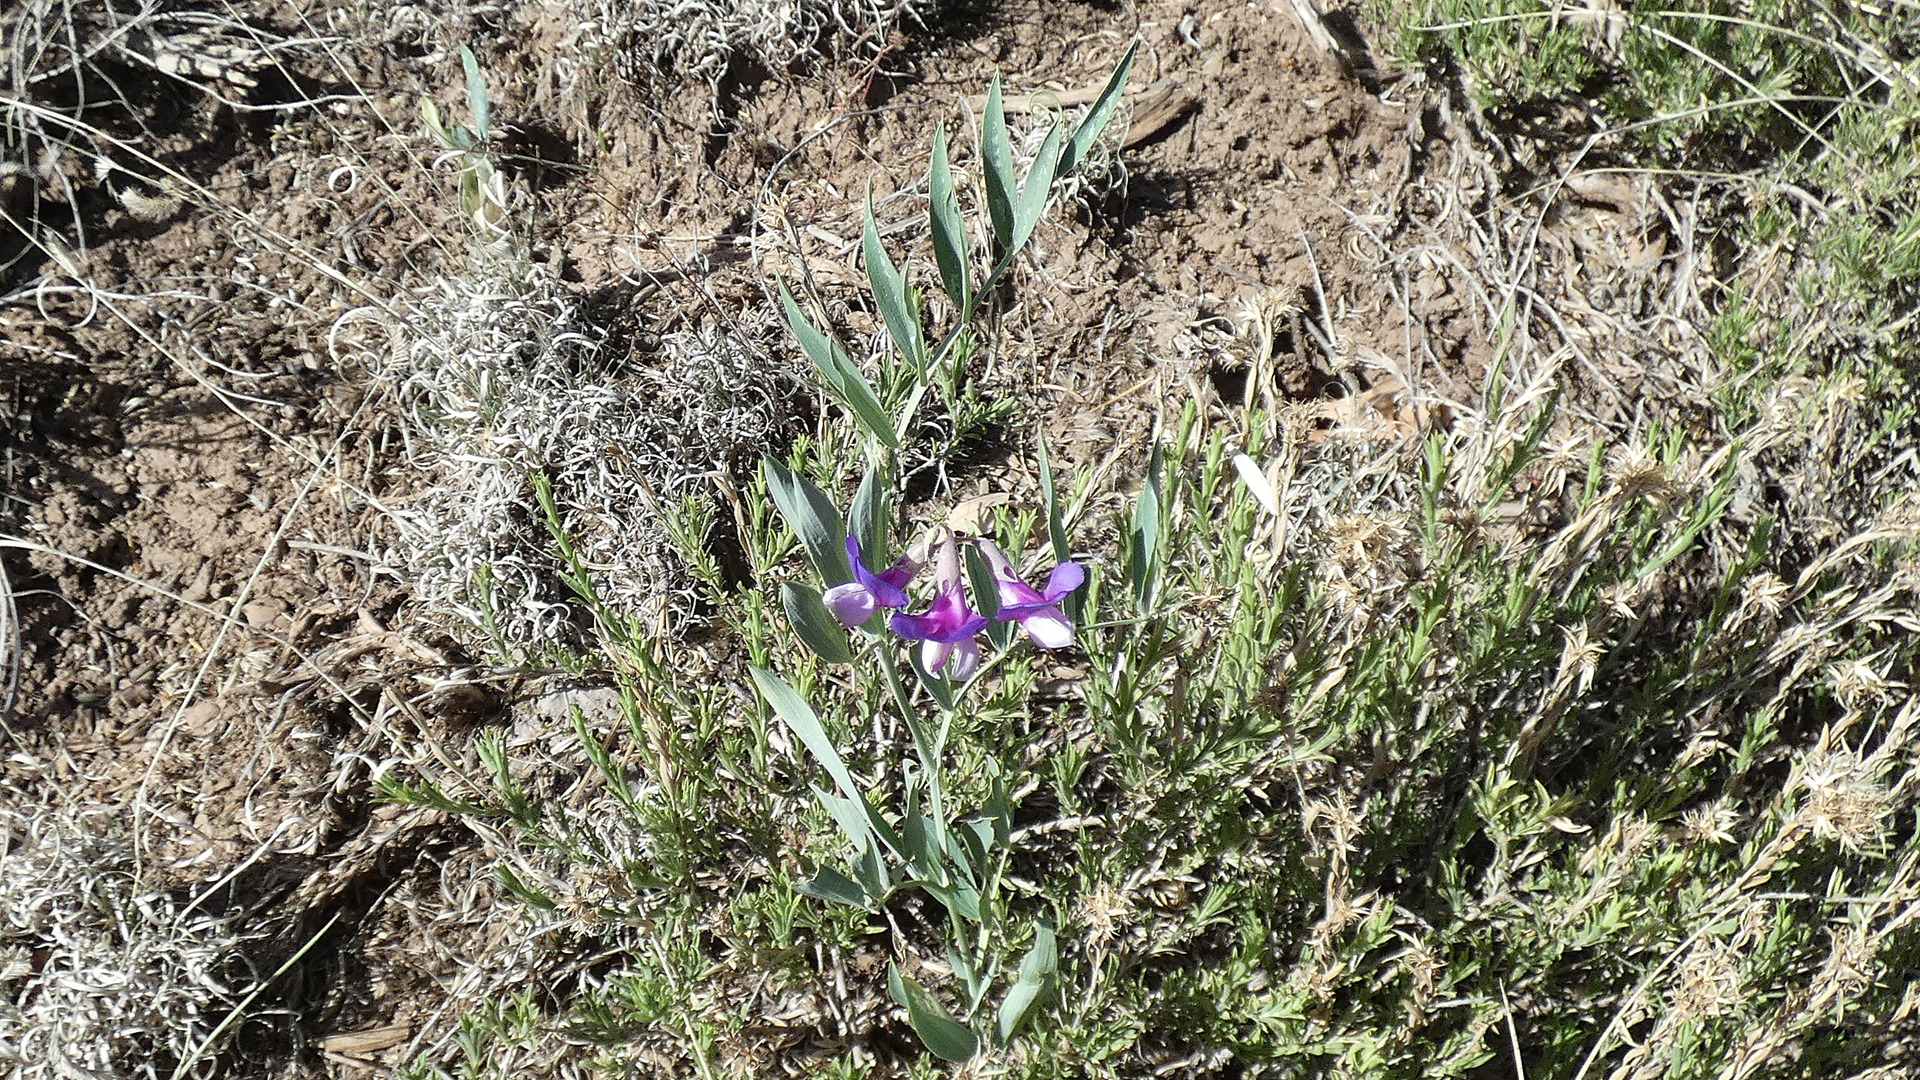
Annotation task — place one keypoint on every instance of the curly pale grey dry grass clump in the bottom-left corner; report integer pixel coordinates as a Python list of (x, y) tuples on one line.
[(103, 981)]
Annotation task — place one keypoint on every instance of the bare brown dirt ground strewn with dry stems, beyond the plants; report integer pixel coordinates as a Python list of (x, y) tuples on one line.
[(210, 627)]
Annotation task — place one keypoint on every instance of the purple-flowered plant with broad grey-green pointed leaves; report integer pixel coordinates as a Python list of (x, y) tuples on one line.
[(936, 631)]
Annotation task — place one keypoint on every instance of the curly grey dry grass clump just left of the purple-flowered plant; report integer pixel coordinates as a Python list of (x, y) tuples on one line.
[(506, 387)]
